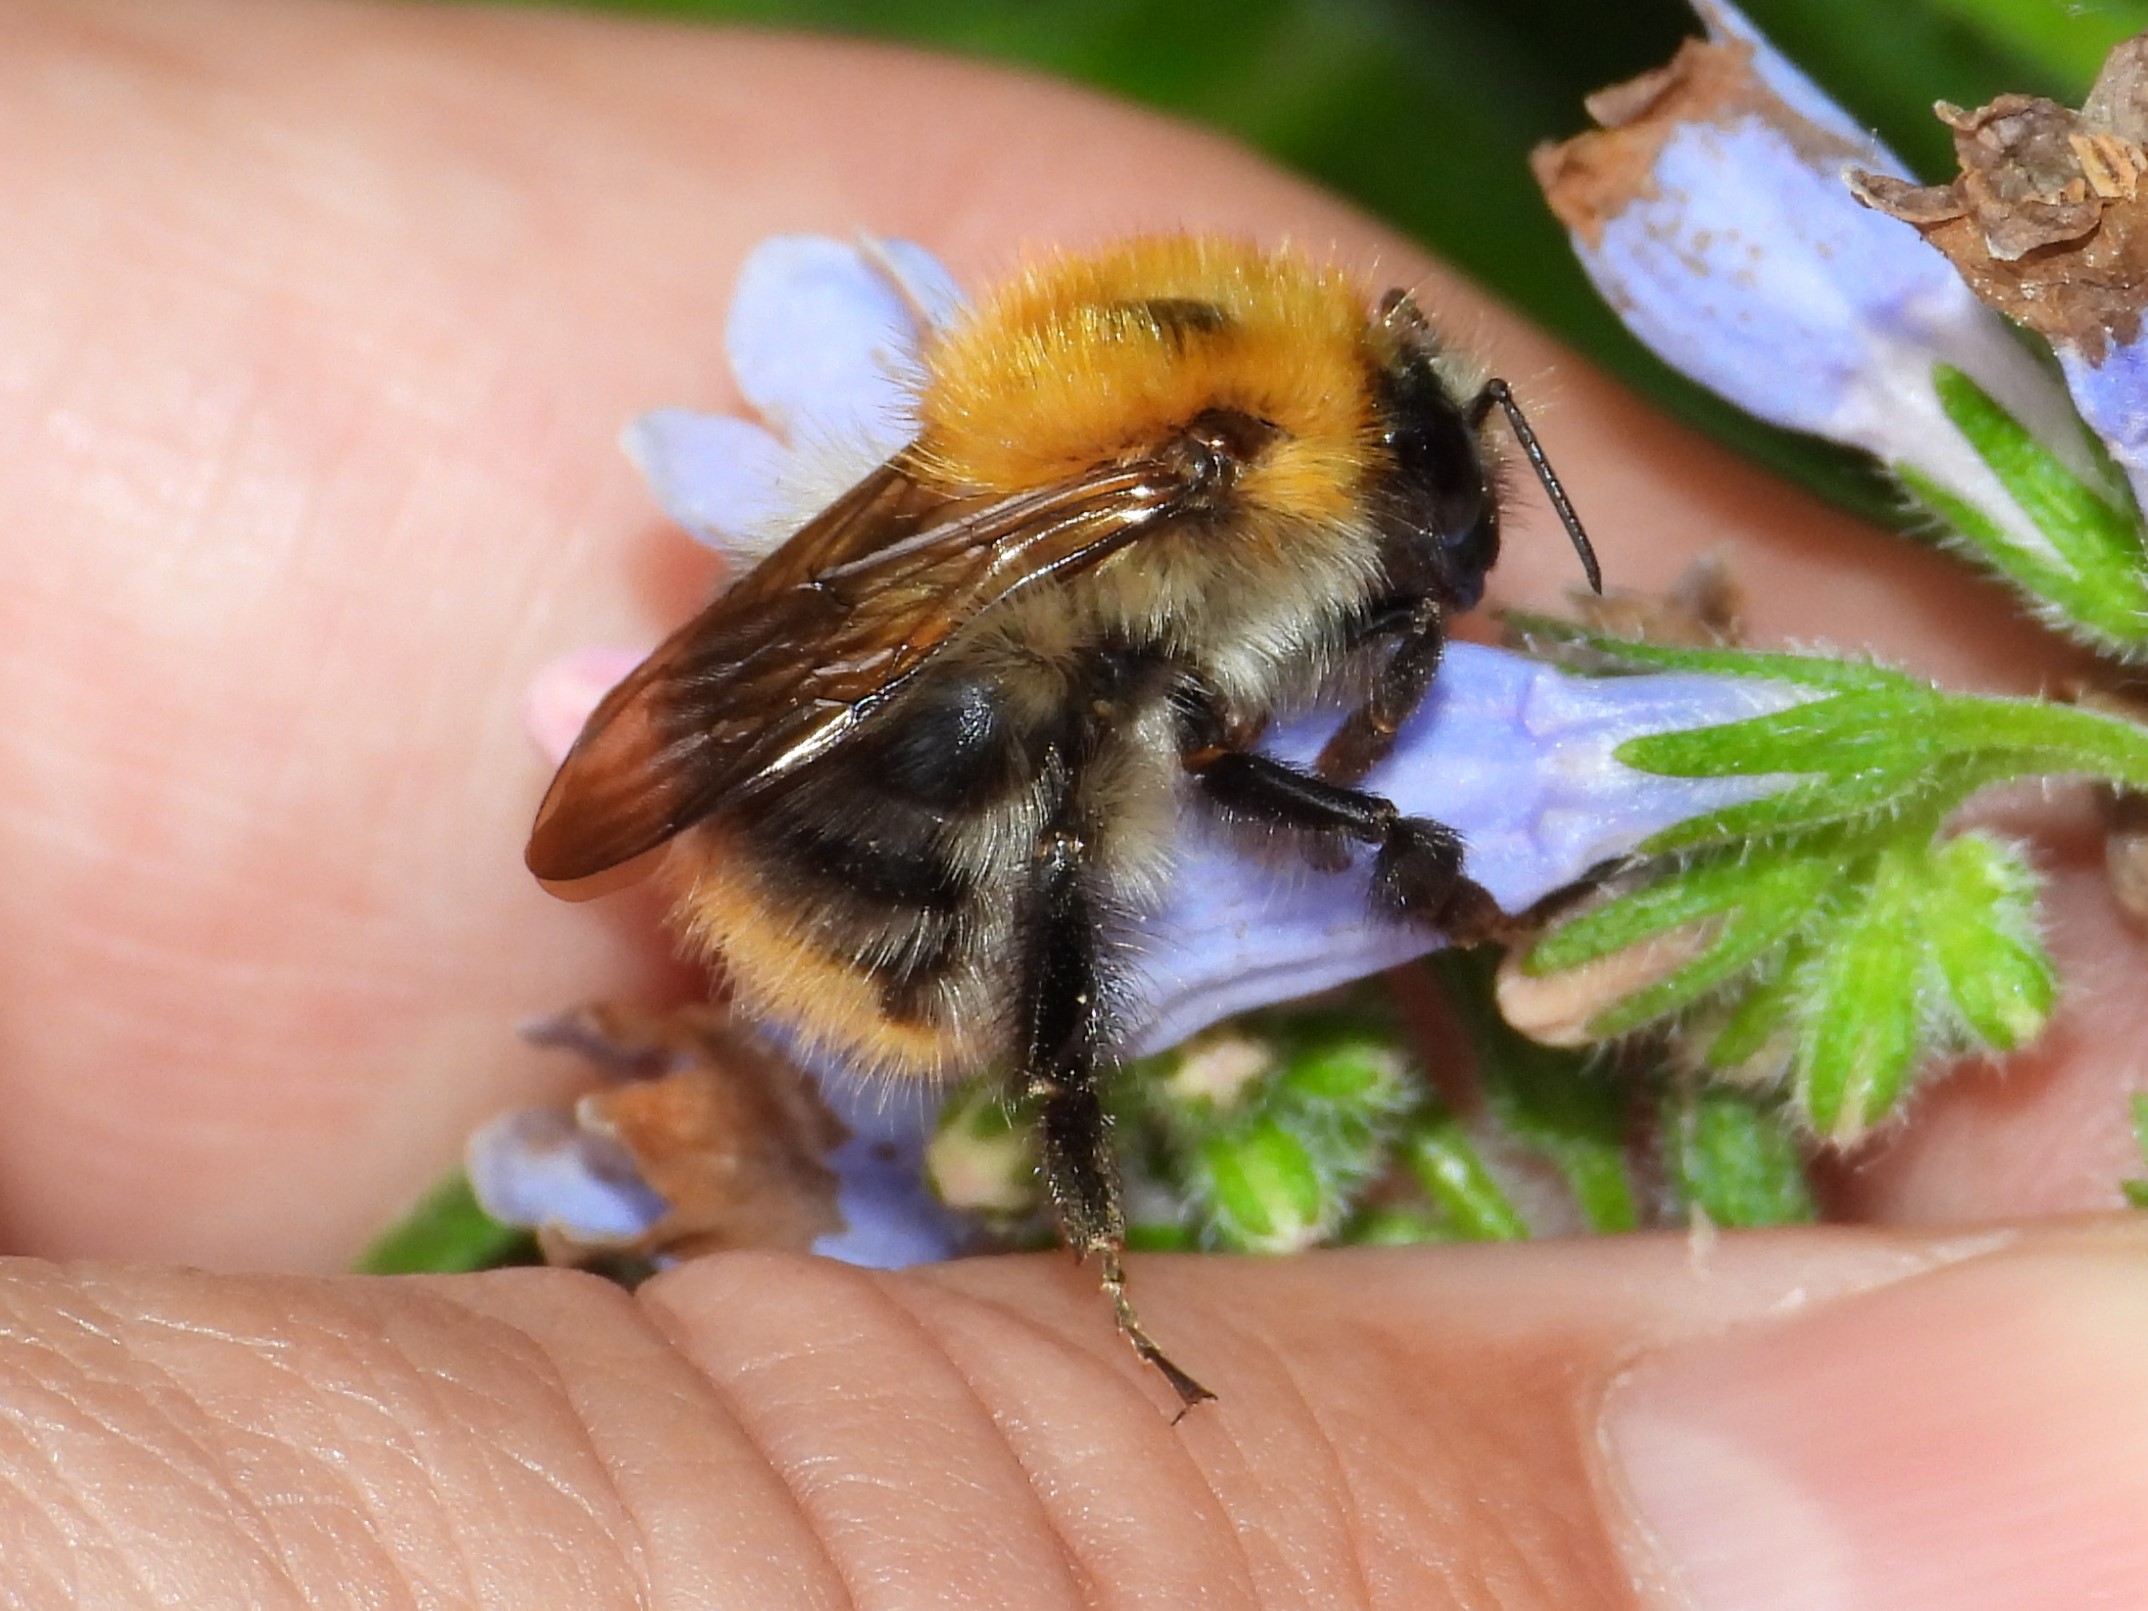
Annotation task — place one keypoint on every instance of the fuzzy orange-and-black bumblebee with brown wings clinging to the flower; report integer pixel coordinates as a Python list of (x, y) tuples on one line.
[(920, 770)]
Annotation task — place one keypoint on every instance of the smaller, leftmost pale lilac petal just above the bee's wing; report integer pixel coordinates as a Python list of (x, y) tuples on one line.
[(716, 476)]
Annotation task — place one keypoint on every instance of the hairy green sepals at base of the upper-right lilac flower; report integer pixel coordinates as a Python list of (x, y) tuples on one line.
[(2093, 579)]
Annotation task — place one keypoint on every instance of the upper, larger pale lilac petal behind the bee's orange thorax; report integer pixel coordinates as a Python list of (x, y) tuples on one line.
[(822, 343)]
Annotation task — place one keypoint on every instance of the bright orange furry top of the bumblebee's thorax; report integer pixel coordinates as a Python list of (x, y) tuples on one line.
[(1079, 360)]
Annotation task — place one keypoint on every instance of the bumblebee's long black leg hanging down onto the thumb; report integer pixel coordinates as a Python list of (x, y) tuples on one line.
[(1062, 993)]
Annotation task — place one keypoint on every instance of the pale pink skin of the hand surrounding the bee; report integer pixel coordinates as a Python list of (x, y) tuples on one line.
[(317, 325)]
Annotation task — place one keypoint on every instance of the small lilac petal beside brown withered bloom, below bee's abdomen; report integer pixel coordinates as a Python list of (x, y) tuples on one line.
[(538, 1170)]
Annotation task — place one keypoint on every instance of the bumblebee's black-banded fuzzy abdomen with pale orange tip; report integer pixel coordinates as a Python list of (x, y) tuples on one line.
[(875, 905)]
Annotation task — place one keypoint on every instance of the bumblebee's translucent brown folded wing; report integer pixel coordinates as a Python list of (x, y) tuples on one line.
[(813, 643)]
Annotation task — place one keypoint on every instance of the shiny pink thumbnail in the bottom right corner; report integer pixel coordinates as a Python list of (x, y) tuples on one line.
[(1969, 1440)]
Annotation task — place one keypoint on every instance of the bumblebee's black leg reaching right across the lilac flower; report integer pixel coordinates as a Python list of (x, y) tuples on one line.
[(1417, 865)]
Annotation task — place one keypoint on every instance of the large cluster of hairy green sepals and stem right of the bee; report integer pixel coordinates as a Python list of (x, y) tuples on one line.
[(1829, 933)]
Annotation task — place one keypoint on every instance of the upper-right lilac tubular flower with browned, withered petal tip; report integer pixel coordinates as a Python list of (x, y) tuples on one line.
[(1713, 214)]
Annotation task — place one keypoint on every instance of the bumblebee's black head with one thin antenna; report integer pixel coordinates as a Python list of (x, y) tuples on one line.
[(1440, 499)]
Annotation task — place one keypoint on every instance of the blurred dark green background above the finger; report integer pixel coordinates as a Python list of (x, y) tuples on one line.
[(1425, 111)]
